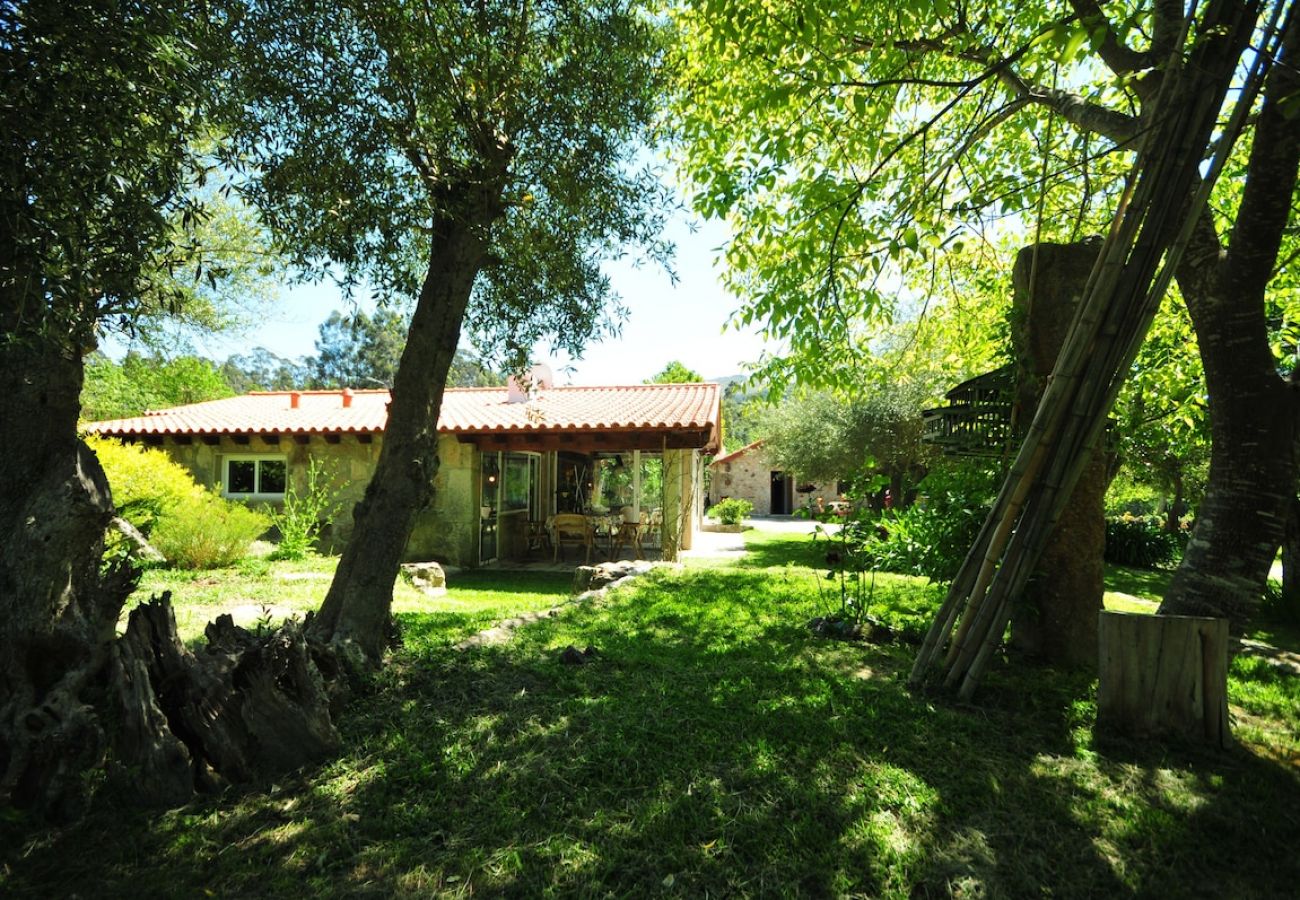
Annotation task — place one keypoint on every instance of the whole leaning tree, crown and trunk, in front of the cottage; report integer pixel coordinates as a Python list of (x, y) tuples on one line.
[(474, 159)]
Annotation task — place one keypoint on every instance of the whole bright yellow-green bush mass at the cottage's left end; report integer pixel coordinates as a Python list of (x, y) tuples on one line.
[(189, 525)]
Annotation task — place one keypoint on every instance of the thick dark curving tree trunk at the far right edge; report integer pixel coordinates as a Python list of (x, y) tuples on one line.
[(1255, 414)]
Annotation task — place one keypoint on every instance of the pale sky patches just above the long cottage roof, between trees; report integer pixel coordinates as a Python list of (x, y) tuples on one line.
[(668, 321)]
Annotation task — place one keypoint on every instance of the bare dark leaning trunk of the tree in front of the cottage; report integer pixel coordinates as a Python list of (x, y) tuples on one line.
[(356, 616)]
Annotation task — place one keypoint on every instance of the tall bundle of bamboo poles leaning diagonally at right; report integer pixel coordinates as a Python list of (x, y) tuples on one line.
[(1149, 236)]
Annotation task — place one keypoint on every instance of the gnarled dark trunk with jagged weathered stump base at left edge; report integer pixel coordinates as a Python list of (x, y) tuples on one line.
[(71, 695)]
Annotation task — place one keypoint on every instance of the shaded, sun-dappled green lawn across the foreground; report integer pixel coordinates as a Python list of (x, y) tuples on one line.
[(712, 747)]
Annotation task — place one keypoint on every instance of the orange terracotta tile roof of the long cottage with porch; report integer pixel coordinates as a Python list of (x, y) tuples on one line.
[(465, 410)]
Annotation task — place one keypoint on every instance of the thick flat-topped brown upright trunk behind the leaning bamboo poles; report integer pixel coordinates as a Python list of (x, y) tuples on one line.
[(1056, 618)]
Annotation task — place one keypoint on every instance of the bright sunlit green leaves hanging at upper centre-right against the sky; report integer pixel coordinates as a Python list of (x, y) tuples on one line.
[(855, 149)]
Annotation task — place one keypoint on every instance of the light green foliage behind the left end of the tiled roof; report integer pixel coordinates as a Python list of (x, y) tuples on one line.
[(119, 391)]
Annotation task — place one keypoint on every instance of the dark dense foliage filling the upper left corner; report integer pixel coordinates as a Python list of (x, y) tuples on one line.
[(103, 120)]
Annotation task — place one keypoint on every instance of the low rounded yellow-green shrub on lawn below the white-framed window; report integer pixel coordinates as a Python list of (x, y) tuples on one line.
[(205, 531)]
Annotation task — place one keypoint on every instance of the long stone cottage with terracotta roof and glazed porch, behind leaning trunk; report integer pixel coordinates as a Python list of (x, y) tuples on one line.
[(510, 460)]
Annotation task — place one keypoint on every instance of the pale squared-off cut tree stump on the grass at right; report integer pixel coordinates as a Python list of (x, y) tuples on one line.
[(1164, 676)]
